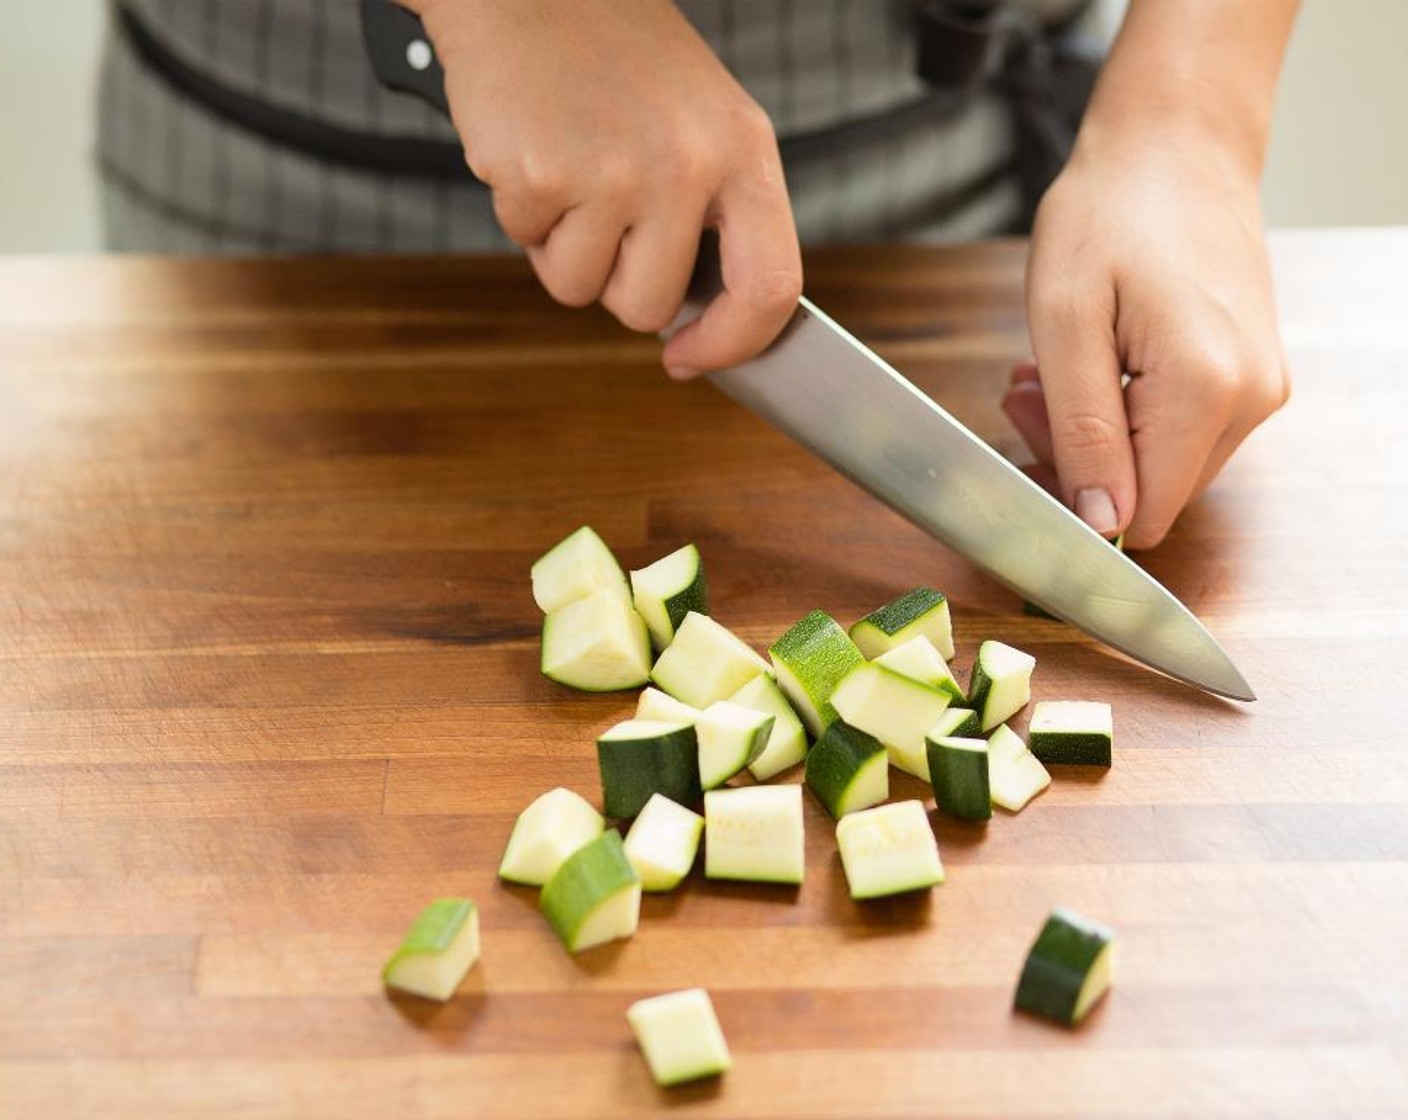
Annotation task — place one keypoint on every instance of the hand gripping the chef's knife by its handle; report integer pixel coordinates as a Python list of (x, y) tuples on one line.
[(612, 137)]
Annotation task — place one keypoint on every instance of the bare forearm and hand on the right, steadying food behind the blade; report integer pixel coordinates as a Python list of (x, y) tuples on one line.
[(1148, 257)]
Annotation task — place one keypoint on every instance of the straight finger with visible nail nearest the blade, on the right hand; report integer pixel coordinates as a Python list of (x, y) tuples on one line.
[(1085, 402)]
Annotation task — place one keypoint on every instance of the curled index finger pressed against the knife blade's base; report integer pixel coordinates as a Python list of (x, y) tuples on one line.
[(762, 278)]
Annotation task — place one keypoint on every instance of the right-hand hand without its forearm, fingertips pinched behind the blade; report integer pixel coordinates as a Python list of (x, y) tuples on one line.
[(1148, 260)]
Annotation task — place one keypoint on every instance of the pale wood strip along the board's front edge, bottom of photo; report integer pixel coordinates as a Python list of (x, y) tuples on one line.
[(1210, 1083)]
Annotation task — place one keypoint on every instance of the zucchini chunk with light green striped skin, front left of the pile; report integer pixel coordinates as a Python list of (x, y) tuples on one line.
[(595, 897)]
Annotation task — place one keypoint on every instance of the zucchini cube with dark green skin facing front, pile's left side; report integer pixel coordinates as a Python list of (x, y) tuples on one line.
[(640, 759)]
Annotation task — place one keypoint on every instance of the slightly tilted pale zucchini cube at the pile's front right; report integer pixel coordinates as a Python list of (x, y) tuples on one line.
[(889, 850)]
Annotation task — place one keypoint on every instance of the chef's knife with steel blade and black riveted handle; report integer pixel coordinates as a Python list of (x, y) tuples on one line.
[(837, 398)]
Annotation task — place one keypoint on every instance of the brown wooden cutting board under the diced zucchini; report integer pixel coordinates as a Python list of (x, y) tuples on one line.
[(268, 684)]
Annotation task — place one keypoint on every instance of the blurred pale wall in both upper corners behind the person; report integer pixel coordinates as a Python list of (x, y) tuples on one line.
[(1340, 150)]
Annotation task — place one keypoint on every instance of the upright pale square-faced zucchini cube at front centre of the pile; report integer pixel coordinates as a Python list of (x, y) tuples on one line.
[(755, 833)]
